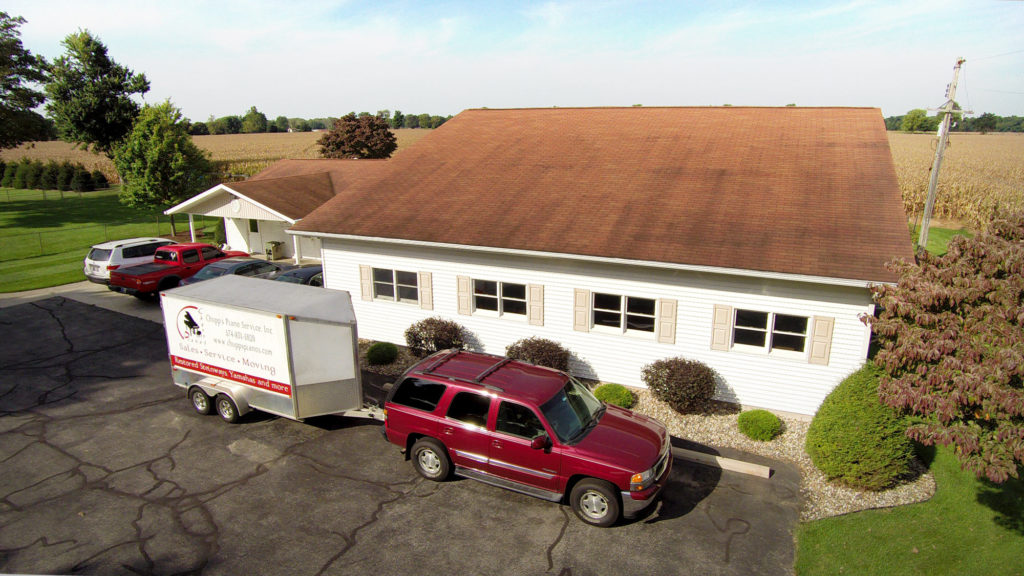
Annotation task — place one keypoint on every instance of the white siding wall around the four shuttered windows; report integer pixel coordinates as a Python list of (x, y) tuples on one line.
[(753, 380)]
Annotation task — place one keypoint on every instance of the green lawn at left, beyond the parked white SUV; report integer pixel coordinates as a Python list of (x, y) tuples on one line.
[(45, 238)]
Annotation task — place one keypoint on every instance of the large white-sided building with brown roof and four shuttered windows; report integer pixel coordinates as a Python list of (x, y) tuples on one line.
[(746, 238)]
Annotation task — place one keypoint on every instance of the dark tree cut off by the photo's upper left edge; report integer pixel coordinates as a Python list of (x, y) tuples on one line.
[(19, 68)]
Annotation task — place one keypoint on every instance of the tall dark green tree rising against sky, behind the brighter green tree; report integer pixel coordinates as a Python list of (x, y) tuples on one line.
[(91, 95)]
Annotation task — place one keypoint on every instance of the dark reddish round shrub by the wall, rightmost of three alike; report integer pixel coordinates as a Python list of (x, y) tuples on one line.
[(687, 386)]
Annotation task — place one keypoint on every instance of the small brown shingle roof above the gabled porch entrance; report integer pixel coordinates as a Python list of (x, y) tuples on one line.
[(295, 188)]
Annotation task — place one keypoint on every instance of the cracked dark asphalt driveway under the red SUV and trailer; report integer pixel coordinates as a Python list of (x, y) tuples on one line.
[(106, 469)]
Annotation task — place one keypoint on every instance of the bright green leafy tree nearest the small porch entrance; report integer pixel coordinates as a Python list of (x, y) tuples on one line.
[(158, 162)]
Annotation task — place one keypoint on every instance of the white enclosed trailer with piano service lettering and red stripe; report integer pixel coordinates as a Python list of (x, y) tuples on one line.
[(239, 344)]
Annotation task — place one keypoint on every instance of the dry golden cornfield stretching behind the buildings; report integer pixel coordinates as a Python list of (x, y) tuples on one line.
[(982, 174)]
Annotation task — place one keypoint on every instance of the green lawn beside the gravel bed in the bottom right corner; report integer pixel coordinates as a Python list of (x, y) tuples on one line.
[(969, 527)]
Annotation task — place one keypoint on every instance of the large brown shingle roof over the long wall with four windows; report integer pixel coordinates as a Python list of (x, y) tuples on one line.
[(783, 190)]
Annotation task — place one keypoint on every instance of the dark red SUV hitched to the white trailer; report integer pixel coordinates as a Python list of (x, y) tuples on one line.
[(528, 429)]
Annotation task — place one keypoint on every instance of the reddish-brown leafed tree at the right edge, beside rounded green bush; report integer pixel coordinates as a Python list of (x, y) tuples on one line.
[(952, 337)]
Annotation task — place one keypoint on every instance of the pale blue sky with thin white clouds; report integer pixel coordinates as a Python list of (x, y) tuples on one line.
[(314, 59)]
